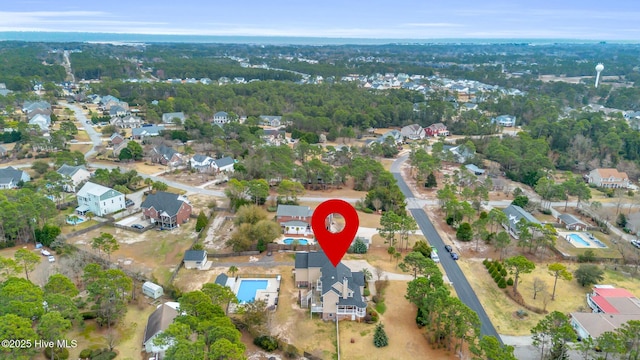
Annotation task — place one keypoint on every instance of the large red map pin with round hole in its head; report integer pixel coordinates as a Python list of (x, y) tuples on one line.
[(335, 245)]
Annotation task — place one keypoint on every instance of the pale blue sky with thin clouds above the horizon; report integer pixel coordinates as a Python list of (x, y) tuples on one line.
[(397, 19)]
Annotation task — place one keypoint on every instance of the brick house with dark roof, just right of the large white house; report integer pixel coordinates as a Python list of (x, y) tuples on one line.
[(166, 209)]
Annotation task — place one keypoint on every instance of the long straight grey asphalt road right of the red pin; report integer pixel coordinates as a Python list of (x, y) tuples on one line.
[(456, 276)]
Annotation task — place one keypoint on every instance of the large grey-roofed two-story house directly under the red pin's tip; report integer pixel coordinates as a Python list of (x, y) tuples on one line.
[(334, 292)]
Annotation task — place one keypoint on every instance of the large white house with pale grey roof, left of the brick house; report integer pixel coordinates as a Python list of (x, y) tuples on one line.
[(99, 199)]
